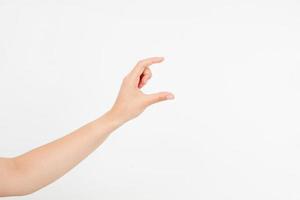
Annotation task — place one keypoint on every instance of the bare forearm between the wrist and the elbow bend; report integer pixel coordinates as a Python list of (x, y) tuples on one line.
[(47, 163)]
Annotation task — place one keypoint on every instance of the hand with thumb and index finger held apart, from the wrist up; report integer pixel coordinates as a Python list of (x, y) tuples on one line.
[(131, 101)]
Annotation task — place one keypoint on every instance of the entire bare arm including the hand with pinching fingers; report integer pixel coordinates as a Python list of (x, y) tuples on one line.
[(29, 172)]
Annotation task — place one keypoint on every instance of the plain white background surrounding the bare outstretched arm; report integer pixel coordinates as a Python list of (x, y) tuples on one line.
[(233, 131)]
